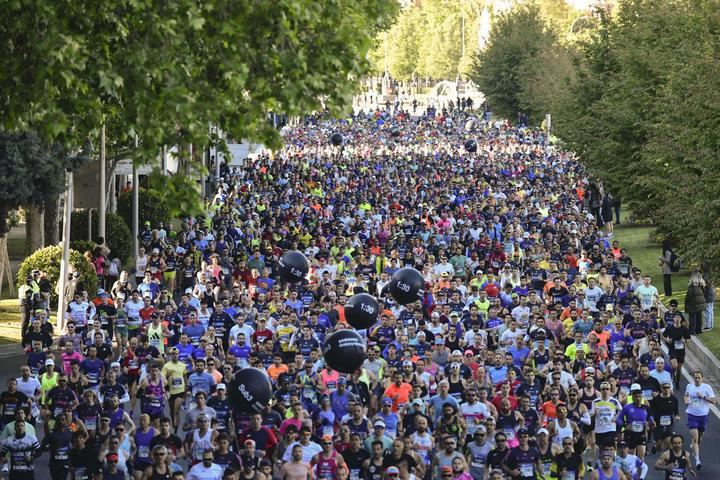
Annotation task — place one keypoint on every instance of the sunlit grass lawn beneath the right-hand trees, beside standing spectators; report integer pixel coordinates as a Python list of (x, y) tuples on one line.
[(645, 253)]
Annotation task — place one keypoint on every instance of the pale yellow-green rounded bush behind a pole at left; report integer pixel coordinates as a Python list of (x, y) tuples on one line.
[(48, 260)]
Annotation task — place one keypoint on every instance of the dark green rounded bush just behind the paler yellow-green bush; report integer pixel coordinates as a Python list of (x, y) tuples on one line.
[(118, 237)]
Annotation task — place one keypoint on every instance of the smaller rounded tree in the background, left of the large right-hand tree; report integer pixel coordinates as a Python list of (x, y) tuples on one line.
[(505, 71)]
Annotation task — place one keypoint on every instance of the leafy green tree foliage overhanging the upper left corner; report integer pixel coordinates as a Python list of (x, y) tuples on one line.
[(166, 71)]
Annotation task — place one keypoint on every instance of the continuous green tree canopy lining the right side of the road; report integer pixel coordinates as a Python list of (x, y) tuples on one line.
[(636, 98)]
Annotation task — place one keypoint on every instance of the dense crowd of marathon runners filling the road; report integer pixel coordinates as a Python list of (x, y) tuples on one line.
[(539, 350)]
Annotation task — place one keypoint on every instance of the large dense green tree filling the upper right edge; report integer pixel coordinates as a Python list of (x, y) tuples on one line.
[(642, 114)]
